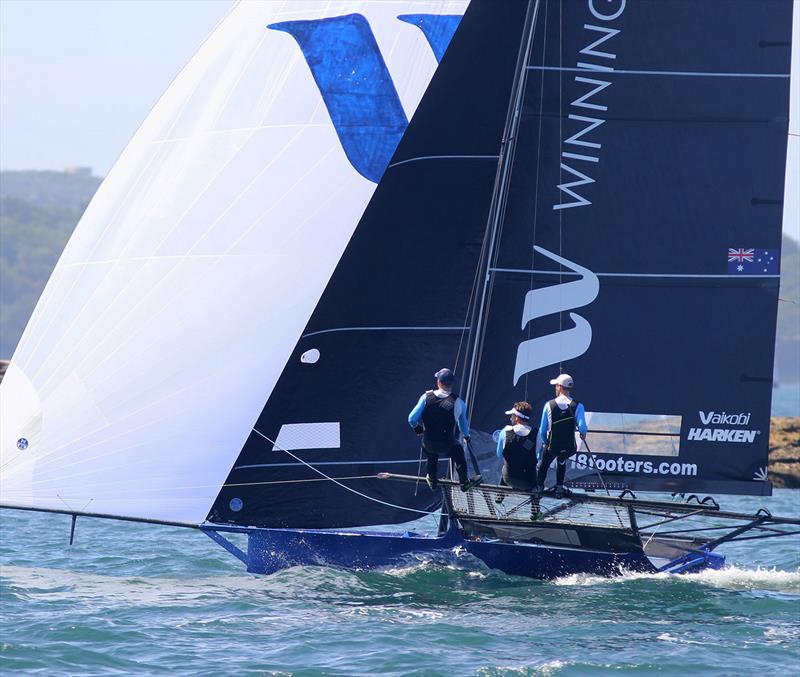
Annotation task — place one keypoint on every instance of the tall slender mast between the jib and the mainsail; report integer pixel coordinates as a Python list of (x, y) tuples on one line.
[(501, 190)]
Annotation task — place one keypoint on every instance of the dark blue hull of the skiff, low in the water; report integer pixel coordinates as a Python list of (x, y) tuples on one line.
[(270, 550)]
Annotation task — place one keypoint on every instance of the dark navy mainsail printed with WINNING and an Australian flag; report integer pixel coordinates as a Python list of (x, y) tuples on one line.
[(640, 245)]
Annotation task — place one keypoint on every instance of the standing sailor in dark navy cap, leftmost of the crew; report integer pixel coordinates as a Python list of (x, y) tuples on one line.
[(438, 417)]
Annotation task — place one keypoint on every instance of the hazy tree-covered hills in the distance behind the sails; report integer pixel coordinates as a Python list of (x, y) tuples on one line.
[(39, 210)]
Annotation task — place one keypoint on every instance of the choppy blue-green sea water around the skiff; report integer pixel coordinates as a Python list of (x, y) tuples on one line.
[(147, 600)]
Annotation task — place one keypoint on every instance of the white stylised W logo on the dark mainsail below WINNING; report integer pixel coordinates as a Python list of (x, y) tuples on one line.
[(543, 351)]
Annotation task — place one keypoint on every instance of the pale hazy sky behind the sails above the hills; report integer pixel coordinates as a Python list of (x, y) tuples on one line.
[(77, 77)]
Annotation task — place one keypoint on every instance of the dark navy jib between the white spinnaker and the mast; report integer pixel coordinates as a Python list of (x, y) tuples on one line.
[(395, 310)]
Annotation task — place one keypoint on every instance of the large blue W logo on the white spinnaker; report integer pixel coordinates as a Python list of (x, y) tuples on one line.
[(355, 84)]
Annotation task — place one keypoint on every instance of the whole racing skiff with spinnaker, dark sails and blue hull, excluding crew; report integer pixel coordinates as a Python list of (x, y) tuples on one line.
[(334, 199)]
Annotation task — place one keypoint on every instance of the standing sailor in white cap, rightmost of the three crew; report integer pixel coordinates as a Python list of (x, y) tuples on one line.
[(560, 418)]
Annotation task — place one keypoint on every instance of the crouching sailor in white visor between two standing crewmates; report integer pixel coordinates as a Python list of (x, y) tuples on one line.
[(517, 447)]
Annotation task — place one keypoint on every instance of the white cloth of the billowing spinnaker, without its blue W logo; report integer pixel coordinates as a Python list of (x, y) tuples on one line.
[(193, 272)]
